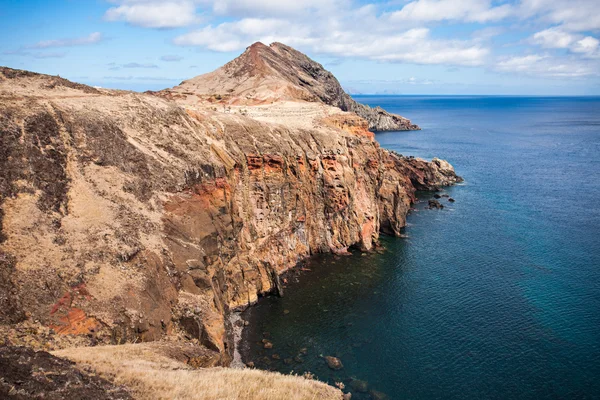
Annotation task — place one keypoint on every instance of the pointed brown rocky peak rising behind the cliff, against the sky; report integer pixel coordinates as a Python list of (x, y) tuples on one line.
[(266, 74)]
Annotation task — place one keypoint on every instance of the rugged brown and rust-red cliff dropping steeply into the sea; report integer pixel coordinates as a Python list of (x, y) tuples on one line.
[(129, 217)]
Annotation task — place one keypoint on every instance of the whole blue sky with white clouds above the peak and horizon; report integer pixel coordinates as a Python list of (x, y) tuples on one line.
[(495, 47)]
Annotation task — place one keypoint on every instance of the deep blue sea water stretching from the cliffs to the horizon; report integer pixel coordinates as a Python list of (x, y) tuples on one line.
[(497, 296)]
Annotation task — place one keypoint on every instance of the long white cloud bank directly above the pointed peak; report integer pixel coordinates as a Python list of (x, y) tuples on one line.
[(413, 45)]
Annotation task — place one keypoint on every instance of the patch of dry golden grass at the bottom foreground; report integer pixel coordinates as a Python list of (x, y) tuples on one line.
[(152, 375)]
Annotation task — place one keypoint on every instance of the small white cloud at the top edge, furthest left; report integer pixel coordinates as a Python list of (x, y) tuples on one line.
[(155, 14)]
